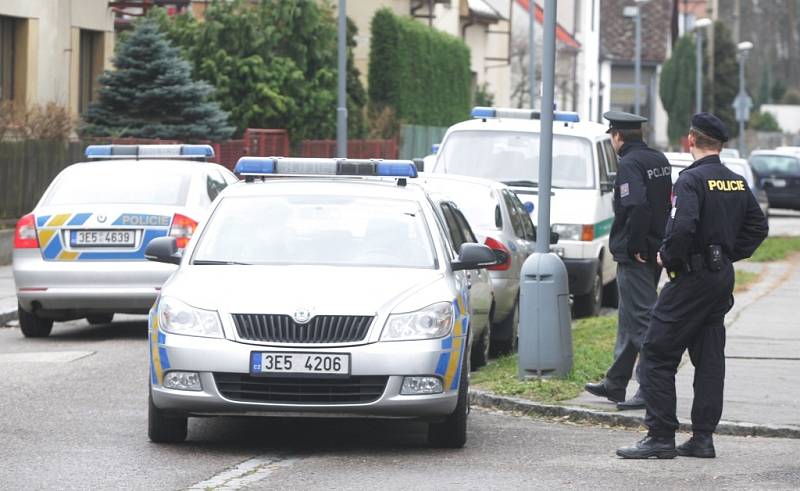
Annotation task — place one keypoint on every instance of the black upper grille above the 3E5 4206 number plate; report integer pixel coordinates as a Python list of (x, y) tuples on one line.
[(276, 328)]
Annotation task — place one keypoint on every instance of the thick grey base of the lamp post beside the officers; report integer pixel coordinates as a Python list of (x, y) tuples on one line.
[(545, 335)]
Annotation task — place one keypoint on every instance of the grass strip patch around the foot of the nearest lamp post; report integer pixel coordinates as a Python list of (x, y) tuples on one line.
[(593, 346)]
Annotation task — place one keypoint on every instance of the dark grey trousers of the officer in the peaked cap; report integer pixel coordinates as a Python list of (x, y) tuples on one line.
[(637, 284)]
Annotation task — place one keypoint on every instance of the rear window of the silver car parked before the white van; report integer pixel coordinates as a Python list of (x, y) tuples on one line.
[(478, 203)]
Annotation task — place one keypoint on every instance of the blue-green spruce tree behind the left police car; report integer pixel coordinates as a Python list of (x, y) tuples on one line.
[(151, 94)]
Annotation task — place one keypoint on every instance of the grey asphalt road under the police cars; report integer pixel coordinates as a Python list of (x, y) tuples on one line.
[(73, 416)]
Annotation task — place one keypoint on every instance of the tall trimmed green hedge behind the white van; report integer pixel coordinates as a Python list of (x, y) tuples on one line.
[(422, 73)]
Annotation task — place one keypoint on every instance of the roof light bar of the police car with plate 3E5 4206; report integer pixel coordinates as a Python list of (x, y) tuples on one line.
[(261, 166)]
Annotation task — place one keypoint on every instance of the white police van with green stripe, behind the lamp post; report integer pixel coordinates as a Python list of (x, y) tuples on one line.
[(503, 144)]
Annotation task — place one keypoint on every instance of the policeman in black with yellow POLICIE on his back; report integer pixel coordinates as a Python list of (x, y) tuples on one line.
[(715, 221)]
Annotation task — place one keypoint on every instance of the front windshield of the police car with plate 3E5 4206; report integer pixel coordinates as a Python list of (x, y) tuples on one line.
[(317, 230)]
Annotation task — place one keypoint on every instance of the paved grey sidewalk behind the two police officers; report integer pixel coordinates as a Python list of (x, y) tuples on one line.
[(762, 355)]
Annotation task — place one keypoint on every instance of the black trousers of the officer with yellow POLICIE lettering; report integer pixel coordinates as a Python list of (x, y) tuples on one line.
[(690, 313)]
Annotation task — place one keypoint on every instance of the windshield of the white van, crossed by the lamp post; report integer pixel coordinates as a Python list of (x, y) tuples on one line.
[(513, 158)]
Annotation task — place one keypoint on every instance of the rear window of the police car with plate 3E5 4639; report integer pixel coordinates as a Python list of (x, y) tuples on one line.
[(112, 183)]
